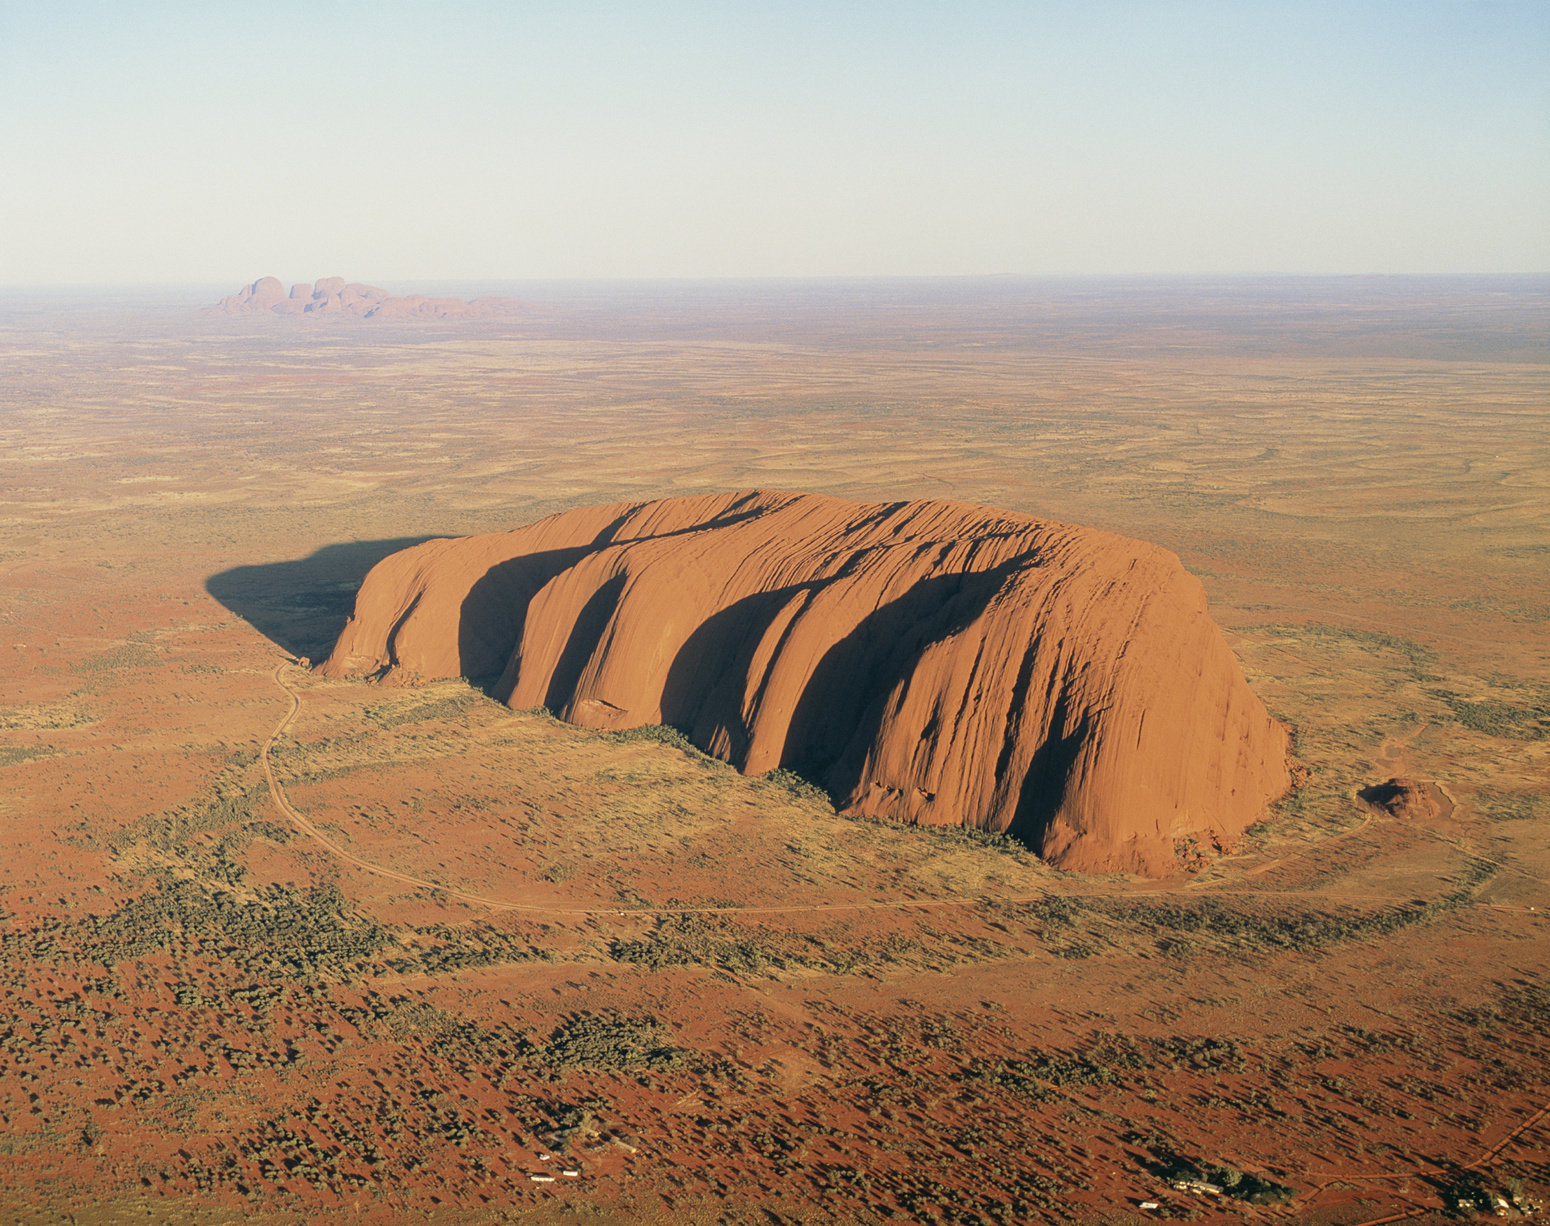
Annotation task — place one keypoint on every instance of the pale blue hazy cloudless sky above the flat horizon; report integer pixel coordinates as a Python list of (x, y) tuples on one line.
[(388, 142)]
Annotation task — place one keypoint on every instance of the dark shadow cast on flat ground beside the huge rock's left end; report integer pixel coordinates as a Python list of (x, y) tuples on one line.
[(303, 605)]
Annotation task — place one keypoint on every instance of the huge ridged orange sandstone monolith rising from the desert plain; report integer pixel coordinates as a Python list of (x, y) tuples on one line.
[(929, 663)]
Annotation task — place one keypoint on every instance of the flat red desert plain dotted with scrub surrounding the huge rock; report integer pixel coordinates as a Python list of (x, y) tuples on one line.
[(284, 949)]
